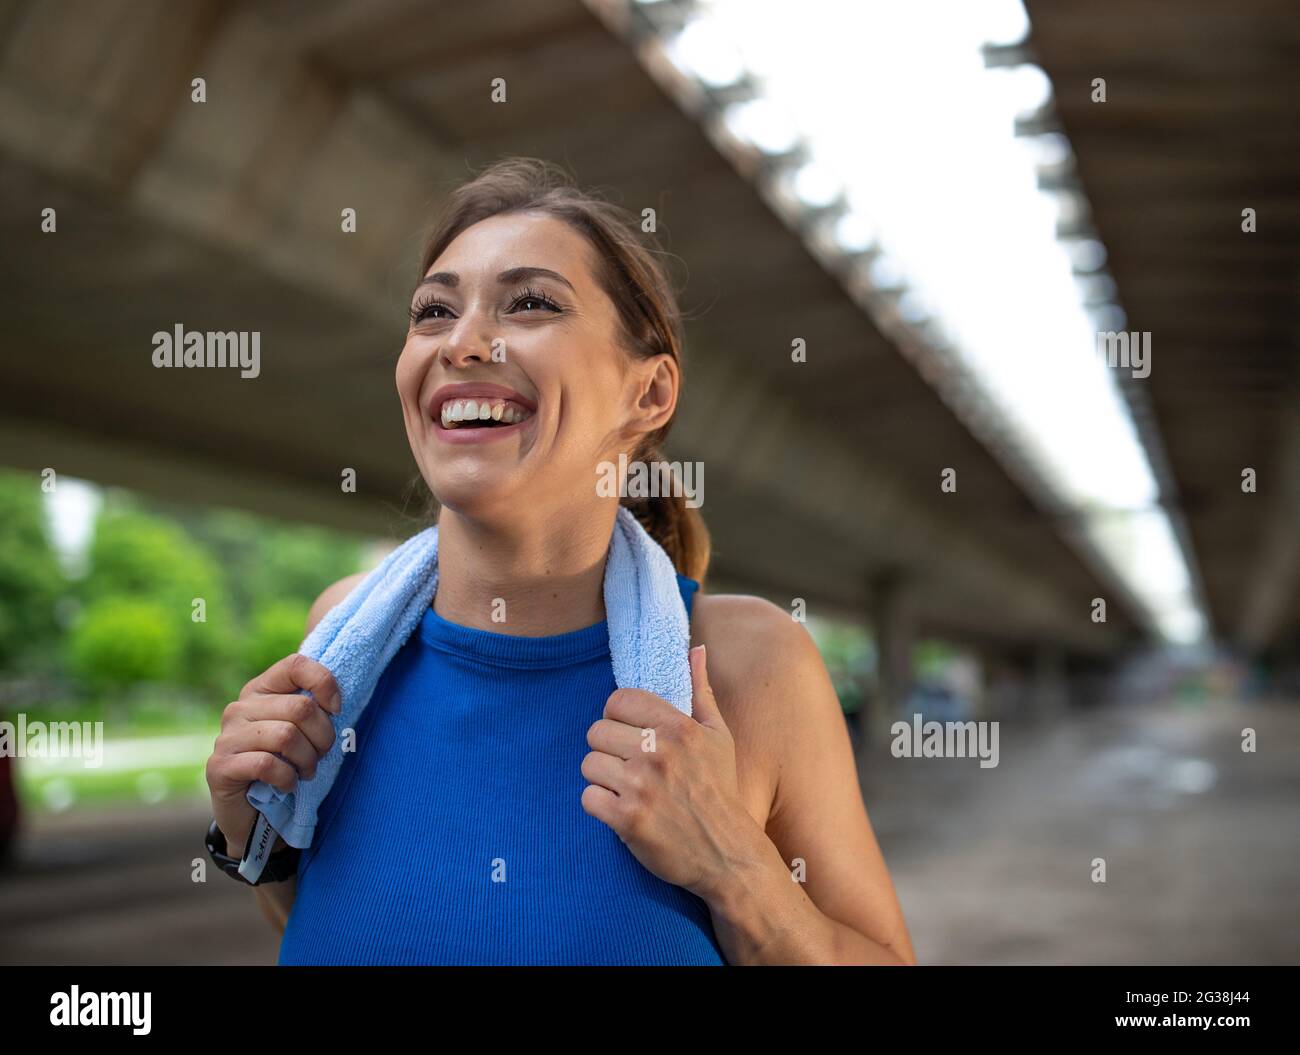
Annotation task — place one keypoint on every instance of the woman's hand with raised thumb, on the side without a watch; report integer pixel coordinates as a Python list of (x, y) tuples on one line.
[(666, 784)]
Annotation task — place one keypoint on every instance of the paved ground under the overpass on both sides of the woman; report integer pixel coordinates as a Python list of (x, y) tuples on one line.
[(994, 866)]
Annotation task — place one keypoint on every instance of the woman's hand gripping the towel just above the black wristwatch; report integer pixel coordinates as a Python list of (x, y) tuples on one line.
[(271, 719)]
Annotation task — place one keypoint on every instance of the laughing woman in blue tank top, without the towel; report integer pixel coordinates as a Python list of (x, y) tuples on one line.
[(500, 807)]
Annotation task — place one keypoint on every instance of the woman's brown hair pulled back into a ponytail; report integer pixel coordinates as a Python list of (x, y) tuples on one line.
[(631, 272)]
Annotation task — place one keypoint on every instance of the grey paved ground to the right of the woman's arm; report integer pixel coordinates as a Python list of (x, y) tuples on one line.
[(1202, 841)]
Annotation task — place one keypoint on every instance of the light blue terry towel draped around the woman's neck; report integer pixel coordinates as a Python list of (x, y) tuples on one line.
[(649, 640)]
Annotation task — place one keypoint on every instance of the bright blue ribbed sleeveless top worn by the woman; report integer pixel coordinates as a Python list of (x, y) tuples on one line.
[(456, 835)]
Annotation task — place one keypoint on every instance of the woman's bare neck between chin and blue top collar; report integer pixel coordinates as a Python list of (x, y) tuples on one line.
[(530, 580)]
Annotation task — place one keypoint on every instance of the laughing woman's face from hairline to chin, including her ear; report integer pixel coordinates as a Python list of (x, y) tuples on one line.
[(513, 384)]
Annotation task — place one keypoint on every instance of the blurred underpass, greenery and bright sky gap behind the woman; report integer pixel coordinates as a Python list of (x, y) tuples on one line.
[(909, 237)]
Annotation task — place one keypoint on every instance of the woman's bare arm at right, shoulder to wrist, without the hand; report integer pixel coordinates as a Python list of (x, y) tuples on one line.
[(814, 888)]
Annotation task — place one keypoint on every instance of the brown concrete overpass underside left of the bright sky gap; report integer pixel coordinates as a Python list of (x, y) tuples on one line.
[(822, 479)]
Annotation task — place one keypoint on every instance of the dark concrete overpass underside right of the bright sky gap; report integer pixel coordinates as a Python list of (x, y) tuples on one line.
[(1202, 120)]
